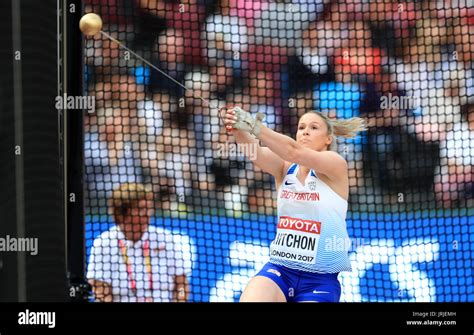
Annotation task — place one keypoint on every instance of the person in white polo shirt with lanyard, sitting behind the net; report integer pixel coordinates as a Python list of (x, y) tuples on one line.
[(134, 261)]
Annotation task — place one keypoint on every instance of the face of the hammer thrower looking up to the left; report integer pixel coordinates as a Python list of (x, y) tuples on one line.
[(313, 132)]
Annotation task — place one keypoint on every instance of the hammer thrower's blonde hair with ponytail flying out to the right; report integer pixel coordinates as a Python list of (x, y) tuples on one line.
[(347, 128)]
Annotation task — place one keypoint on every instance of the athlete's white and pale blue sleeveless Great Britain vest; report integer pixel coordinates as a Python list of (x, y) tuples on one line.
[(311, 231)]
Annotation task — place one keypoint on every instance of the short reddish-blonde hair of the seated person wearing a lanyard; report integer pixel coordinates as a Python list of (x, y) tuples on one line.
[(127, 196)]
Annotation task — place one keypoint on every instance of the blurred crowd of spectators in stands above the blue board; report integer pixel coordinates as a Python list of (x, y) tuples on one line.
[(405, 66)]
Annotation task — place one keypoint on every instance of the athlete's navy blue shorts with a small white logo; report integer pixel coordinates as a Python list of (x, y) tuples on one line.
[(298, 286)]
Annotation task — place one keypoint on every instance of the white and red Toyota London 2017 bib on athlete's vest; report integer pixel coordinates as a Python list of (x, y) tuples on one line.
[(296, 240)]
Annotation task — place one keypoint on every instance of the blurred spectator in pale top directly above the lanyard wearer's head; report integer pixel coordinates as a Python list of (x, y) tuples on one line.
[(120, 140)]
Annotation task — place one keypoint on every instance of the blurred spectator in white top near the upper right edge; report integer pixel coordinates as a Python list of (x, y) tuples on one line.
[(427, 73)]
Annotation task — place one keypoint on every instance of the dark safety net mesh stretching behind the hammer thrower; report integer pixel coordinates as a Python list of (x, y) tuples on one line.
[(406, 67)]
